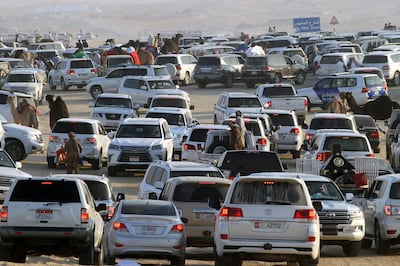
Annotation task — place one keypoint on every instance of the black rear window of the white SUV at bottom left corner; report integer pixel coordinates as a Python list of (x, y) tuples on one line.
[(46, 191)]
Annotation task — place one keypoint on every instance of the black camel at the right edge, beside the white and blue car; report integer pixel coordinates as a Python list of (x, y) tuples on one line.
[(379, 109)]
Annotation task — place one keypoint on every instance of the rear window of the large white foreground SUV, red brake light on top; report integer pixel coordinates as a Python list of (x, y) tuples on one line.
[(268, 191)]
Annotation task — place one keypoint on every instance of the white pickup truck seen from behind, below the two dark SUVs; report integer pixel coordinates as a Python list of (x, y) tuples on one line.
[(283, 96)]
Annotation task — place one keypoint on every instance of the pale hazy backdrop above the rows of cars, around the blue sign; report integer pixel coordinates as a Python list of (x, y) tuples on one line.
[(134, 19)]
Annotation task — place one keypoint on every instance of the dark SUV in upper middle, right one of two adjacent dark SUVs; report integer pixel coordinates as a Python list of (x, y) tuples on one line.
[(271, 68)]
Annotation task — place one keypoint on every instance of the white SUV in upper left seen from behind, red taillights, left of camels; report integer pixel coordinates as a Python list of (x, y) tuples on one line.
[(72, 72)]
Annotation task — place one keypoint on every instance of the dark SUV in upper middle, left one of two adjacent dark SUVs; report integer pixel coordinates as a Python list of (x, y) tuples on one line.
[(222, 68)]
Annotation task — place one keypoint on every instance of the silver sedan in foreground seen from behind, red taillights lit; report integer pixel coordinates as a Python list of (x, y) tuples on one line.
[(145, 229)]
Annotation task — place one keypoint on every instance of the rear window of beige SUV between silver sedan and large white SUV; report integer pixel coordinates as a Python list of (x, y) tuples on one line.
[(200, 192)]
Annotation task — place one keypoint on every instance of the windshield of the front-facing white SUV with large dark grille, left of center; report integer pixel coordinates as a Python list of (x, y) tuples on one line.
[(139, 131)]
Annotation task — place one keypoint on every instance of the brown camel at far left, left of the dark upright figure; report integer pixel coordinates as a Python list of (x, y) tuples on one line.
[(24, 113)]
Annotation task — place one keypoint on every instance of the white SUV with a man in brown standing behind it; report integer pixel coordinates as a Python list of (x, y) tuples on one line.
[(89, 132)]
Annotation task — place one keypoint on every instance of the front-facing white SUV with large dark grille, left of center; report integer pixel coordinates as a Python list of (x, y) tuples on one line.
[(138, 142)]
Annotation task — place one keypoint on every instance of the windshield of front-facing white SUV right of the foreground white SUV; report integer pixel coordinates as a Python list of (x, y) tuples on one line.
[(323, 191)]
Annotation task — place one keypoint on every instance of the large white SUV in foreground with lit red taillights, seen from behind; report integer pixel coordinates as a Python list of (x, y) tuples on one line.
[(266, 217)]
